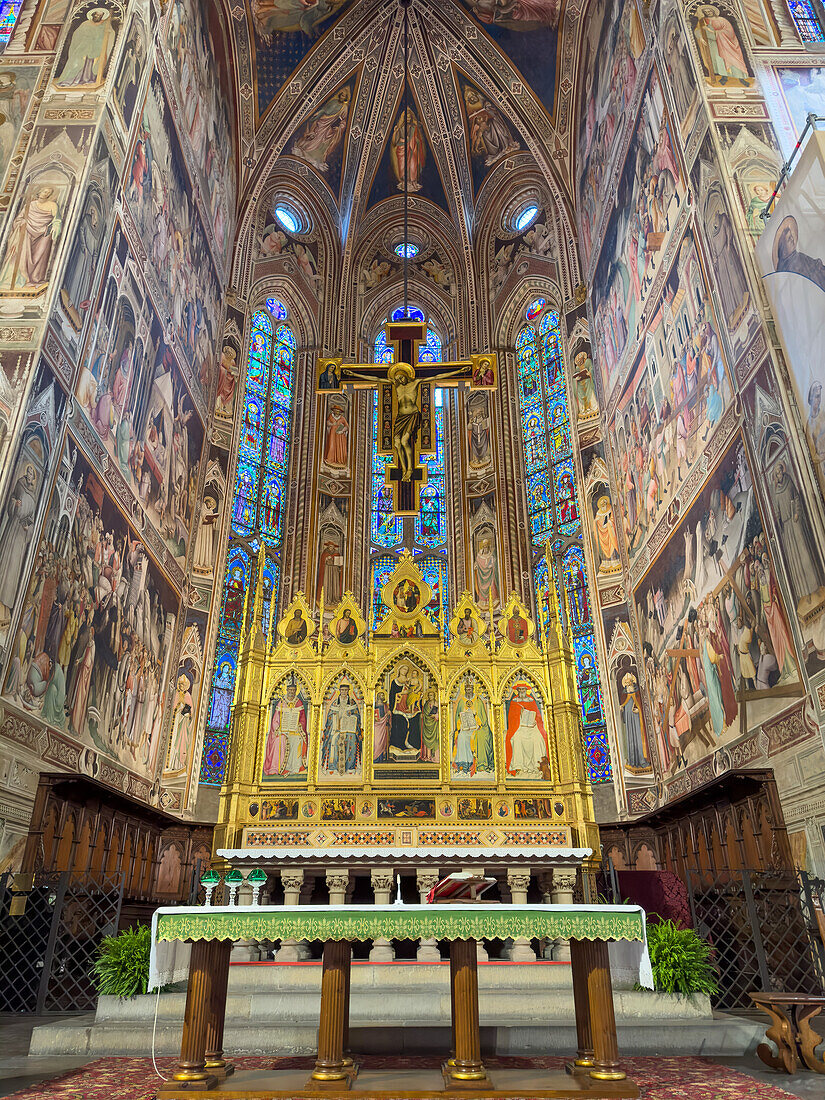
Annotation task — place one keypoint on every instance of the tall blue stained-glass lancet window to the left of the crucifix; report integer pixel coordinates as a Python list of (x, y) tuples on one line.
[(258, 511)]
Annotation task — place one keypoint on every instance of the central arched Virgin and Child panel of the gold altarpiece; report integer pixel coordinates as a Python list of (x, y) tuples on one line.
[(406, 725)]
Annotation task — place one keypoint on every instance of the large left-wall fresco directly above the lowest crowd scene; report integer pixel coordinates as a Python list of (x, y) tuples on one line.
[(133, 393)]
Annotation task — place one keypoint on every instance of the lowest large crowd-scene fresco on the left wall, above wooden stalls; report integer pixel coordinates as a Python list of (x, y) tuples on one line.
[(94, 643)]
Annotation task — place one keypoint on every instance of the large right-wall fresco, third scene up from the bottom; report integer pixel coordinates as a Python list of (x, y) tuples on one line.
[(651, 191)]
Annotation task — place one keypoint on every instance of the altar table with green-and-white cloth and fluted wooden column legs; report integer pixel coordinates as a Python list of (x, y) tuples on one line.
[(595, 1072)]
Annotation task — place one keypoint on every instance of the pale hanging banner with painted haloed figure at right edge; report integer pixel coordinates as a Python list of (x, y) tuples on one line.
[(791, 255)]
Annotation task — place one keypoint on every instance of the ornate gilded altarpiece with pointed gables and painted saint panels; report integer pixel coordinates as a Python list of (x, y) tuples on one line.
[(350, 738)]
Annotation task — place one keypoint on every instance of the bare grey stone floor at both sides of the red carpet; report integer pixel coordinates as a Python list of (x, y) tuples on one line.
[(19, 1072)]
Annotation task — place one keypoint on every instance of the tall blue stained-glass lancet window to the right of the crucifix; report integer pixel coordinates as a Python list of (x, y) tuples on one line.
[(553, 510)]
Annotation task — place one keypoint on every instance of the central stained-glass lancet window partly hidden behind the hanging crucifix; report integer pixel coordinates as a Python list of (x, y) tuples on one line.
[(426, 534)]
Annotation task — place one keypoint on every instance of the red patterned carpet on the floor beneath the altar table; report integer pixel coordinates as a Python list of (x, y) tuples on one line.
[(659, 1079)]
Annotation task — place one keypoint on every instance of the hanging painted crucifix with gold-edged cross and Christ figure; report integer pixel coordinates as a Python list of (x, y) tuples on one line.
[(406, 423)]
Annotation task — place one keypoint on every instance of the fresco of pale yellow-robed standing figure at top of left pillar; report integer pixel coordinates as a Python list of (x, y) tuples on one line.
[(83, 64)]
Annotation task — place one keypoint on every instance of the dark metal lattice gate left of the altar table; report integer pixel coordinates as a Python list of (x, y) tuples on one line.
[(51, 927)]
